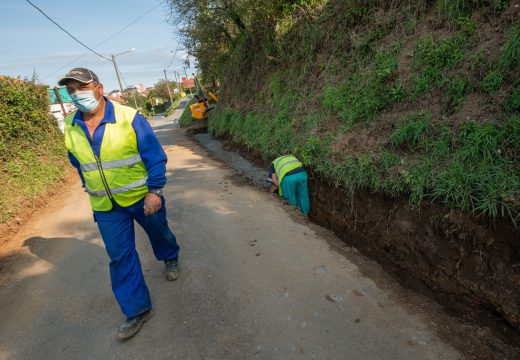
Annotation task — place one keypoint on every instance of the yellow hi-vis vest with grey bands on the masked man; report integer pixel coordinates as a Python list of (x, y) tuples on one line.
[(119, 172)]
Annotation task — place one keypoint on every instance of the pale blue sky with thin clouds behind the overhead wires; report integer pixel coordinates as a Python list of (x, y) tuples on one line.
[(30, 42)]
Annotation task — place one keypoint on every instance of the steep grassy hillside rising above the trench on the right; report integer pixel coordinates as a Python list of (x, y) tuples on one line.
[(420, 99)]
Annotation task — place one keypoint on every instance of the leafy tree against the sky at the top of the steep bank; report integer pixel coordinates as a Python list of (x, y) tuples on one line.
[(211, 30)]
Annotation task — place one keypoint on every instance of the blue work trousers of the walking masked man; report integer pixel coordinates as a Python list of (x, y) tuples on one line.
[(117, 230)]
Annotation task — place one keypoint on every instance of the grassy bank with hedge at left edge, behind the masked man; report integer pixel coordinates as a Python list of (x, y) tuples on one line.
[(32, 155)]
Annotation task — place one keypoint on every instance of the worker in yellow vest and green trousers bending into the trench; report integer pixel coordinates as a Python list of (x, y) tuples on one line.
[(289, 177)]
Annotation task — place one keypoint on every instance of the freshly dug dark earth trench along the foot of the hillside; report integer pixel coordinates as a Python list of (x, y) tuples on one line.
[(472, 268)]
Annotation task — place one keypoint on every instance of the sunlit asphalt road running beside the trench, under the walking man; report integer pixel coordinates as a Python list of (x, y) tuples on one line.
[(258, 281)]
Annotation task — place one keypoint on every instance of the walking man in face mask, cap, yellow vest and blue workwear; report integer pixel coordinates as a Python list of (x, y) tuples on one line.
[(123, 169)]
